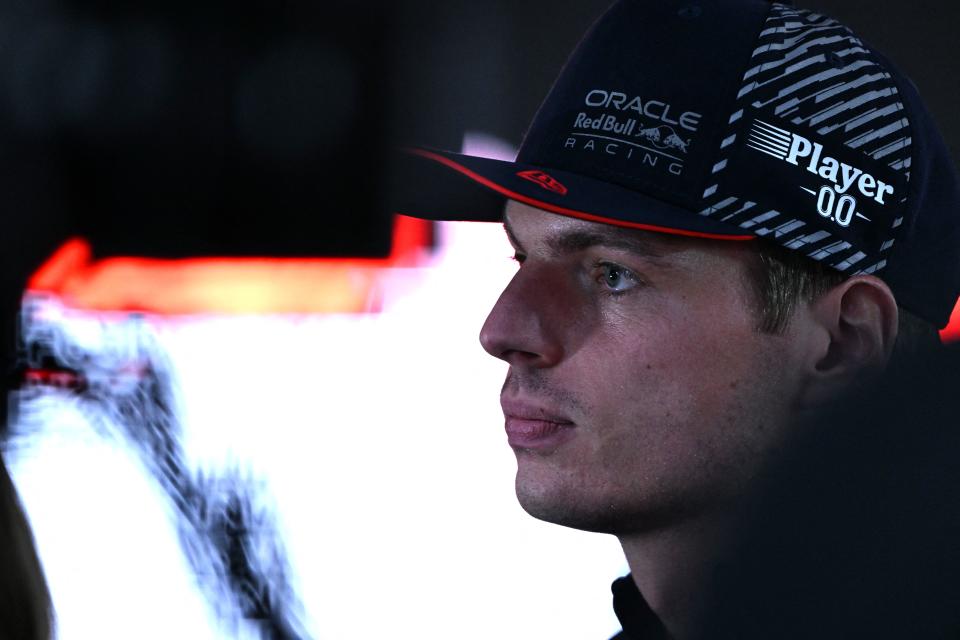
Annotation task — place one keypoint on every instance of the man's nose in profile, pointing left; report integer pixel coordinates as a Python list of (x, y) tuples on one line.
[(524, 326)]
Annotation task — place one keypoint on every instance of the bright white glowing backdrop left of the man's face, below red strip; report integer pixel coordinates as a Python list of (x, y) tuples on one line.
[(380, 444)]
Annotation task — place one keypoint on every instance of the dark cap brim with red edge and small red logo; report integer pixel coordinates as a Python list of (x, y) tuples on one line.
[(440, 185)]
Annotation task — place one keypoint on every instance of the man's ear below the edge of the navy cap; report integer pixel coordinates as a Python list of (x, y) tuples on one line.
[(854, 327)]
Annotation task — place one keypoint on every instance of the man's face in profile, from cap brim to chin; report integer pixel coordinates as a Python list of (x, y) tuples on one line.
[(640, 390)]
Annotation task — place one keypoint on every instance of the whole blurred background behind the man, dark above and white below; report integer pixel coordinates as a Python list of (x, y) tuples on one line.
[(250, 400)]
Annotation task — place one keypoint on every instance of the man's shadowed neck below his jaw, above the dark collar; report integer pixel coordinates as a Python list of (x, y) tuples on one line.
[(672, 568)]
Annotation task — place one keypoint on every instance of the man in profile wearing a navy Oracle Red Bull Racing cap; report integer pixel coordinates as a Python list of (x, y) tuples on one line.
[(725, 214)]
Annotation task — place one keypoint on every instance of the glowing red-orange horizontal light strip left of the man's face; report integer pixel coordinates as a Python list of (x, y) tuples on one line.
[(227, 285)]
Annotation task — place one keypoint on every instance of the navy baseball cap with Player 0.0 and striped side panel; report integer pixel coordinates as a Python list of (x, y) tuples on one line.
[(731, 120)]
